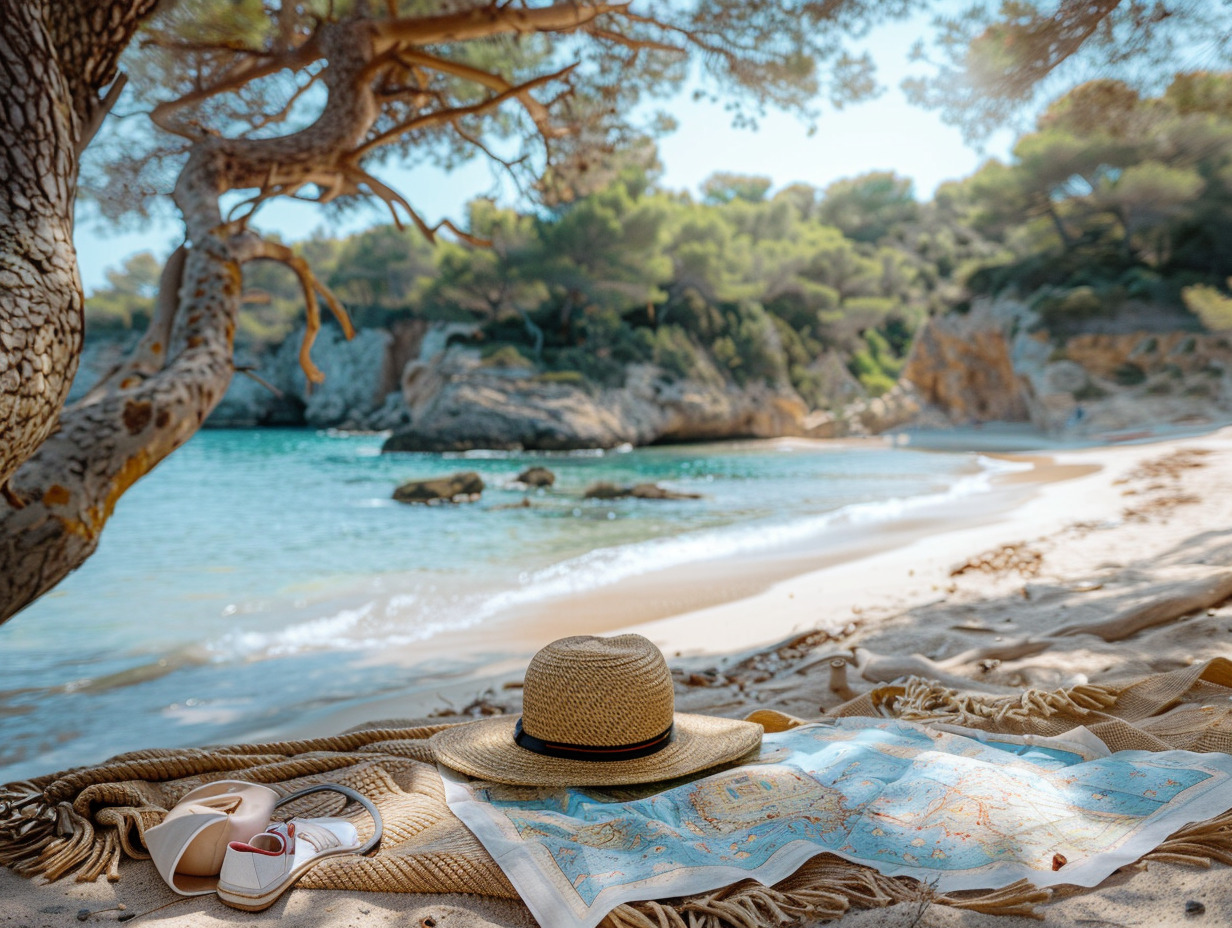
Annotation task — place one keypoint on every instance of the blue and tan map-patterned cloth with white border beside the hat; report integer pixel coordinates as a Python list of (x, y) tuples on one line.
[(954, 809)]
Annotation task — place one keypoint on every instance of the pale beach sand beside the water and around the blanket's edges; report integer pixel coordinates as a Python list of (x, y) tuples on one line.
[(979, 596)]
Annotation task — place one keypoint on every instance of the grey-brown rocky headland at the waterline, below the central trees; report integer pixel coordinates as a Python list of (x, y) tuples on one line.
[(458, 404)]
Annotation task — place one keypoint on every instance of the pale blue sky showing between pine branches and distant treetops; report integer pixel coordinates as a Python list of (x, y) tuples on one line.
[(883, 135)]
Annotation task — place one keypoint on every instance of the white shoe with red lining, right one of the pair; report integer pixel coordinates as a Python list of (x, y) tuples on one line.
[(254, 874)]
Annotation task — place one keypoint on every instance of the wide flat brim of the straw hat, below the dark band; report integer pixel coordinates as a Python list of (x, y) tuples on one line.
[(486, 749)]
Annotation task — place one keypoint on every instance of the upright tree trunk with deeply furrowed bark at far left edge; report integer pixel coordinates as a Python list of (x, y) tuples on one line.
[(56, 57)]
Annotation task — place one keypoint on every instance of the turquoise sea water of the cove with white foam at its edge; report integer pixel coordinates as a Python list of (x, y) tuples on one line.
[(258, 575)]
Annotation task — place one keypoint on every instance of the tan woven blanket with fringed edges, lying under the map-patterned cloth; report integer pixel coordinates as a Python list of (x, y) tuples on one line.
[(84, 823)]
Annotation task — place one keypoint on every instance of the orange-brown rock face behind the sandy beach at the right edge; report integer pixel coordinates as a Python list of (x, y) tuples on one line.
[(995, 364)]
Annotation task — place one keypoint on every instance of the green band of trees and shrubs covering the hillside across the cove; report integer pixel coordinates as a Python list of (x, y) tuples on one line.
[(1113, 203)]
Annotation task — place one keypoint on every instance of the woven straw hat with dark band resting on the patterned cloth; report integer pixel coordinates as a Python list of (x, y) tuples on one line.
[(596, 713)]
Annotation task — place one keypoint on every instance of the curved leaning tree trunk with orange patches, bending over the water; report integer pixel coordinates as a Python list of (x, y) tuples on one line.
[(162, 395)]
